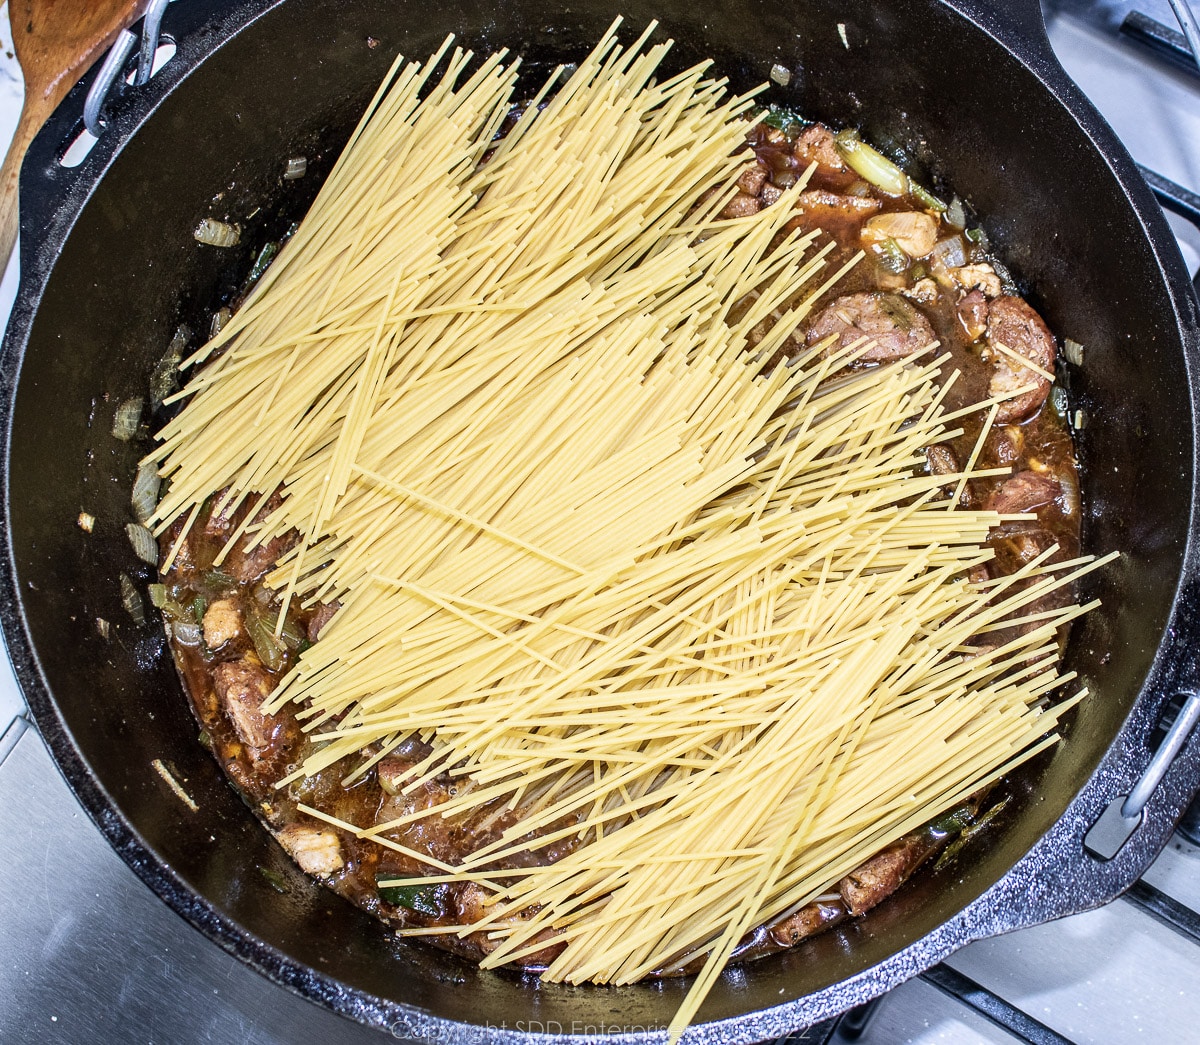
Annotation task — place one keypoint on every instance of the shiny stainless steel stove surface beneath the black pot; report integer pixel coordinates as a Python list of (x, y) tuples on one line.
[(88, 954)]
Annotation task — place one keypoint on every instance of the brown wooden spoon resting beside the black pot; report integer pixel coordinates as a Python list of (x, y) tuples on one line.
[(56, 41)]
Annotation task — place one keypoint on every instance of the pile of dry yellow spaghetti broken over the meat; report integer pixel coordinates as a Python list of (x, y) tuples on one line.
[(629, 573)]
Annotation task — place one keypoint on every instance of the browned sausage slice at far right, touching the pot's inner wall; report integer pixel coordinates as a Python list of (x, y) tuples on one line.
[(1016, 332)]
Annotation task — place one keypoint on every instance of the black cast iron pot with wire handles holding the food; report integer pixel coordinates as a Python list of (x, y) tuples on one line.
[(110, 269)]
